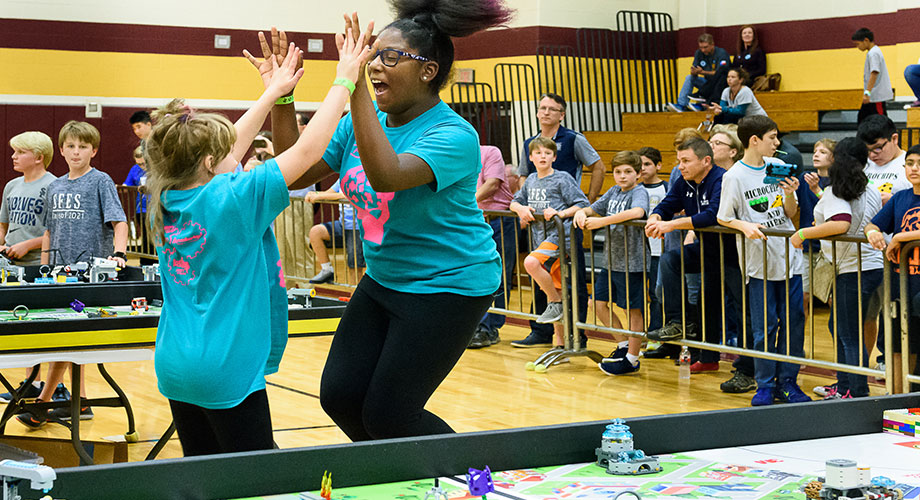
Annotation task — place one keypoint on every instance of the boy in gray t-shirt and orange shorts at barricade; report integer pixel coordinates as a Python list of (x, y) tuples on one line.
[(550, 193)]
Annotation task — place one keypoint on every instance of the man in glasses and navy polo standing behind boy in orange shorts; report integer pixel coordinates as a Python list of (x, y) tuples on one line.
[(572, 155)]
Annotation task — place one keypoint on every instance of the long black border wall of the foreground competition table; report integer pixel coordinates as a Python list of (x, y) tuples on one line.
[(300, 469)]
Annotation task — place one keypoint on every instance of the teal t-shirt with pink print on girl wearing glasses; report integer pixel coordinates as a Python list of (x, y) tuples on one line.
[(431, 238)]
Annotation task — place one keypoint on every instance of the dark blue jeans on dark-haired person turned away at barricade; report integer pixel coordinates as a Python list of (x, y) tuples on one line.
[(848, 342)]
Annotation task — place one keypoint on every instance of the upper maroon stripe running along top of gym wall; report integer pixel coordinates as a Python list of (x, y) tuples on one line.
[(786, 36)]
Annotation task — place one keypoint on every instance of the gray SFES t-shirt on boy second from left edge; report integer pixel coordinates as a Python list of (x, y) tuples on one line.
[(78, 216)]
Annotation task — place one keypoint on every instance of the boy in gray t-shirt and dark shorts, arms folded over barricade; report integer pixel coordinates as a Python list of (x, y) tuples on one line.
[(628, 254)]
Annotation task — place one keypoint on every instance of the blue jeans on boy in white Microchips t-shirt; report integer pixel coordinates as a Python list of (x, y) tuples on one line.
[(769, 373)]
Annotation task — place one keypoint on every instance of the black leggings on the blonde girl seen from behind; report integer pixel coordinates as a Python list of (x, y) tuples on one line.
[(245, 427)]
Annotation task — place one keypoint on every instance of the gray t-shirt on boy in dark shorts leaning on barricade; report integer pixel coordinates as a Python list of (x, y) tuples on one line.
[(622, 239)]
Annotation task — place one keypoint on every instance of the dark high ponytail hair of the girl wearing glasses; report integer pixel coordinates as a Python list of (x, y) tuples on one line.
[(428, 25)]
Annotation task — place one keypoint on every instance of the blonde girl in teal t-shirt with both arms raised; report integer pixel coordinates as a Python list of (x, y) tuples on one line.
[(224, 321)]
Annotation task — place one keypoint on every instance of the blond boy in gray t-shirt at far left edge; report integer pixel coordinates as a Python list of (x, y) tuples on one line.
[(23, 204)]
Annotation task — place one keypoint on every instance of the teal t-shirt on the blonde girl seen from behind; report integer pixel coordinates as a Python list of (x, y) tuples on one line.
[(223, 326)]
